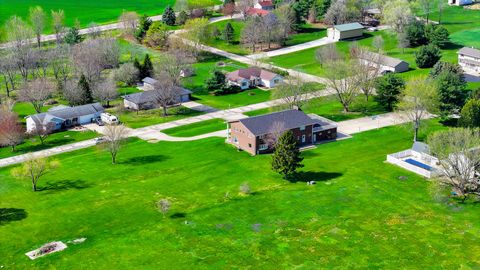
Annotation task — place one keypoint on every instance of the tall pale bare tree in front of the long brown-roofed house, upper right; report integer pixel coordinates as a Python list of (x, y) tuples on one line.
[(368, 68)]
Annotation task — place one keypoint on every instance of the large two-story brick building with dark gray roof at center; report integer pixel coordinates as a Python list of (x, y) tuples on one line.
[(254, 134)]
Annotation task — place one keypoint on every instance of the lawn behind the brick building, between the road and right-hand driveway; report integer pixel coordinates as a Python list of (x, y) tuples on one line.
[(330, 108)]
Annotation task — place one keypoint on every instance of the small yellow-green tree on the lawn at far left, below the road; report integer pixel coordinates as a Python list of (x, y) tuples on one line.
[(34, 168)]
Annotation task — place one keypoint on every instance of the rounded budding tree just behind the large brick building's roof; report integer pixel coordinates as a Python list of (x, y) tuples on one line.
[(294, 94)]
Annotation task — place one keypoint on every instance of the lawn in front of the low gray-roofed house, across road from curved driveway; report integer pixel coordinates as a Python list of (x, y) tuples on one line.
[(152, 117)]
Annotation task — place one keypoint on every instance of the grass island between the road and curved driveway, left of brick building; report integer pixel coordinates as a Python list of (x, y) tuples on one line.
[(195, 129)]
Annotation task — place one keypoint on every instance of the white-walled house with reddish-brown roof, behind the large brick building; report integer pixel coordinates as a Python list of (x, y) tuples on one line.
[(252, 77)]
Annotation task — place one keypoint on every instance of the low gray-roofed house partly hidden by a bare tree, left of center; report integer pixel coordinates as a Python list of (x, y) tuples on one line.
[(146, 100)]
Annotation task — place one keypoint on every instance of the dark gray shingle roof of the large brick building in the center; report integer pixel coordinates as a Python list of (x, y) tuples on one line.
[(289, 119)]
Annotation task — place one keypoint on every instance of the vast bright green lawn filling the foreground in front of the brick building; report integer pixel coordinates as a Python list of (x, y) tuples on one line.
[(359, 214)]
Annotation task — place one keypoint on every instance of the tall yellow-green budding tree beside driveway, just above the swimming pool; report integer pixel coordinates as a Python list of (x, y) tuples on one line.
[(420, 99)]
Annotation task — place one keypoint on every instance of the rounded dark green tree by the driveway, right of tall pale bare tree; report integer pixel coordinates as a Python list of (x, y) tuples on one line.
[(389, 88)]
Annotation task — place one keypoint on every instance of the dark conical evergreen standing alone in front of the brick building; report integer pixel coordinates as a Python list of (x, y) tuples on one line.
[(286, 158)]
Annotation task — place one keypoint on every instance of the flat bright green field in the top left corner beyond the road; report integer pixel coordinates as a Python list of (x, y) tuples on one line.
[(86, 11)]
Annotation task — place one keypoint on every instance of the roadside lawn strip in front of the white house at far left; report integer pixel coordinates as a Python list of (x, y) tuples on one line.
[(55, 139)]
